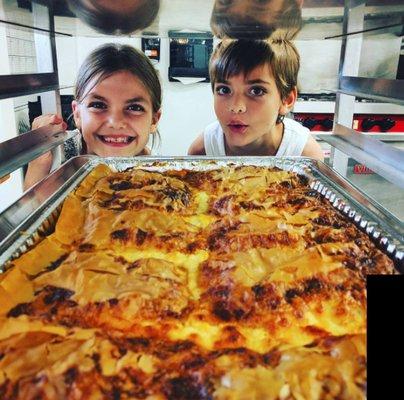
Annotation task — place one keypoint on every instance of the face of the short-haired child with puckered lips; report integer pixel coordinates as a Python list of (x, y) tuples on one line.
[(247, 107)]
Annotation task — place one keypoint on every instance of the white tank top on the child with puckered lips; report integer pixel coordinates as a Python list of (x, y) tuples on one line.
[(295, 137)]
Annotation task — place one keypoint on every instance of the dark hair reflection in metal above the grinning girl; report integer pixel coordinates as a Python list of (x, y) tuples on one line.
[(109, 22)]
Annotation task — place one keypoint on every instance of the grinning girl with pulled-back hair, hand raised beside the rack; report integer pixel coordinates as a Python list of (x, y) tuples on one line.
[(116, 108)]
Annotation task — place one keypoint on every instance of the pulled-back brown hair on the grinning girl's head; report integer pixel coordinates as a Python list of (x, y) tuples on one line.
[(111, 58)]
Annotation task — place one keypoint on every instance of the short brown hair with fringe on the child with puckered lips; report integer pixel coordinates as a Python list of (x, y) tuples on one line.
[(234, 57)]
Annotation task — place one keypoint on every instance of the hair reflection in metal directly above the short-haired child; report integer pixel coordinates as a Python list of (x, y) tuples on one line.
[(287, 23)]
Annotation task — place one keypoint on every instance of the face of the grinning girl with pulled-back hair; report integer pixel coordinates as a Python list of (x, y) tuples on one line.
[(116, 116)]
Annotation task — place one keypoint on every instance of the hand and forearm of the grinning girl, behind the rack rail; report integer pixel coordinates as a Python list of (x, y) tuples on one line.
[(40, 167)]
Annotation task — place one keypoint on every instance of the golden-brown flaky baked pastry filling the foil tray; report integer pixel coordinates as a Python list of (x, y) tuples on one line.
[(235, 283)]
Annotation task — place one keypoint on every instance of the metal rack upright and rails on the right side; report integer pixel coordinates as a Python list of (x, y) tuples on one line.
[(381, 158)]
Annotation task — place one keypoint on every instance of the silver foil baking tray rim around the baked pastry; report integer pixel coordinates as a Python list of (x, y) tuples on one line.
[(34, 215)]
